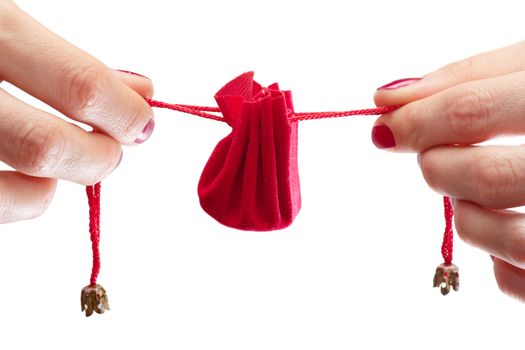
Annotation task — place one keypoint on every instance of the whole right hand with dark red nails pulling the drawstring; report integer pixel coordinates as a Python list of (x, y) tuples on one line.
[(445, 113)]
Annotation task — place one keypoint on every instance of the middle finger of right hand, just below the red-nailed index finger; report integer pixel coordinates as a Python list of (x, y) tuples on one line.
[(493, 176)]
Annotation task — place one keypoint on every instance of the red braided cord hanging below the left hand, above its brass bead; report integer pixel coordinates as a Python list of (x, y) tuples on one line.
[(93, 193)]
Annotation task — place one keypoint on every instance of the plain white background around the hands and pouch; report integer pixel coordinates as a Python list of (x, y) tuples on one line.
[(355, 269)]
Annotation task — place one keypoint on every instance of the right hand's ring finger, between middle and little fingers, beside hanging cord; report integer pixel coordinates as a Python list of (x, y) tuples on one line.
[(501, 233)]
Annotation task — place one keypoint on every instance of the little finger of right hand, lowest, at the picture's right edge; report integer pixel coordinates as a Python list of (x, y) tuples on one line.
[(510, 279)]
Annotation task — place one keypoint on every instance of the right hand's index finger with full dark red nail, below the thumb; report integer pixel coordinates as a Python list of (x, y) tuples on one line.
[(465, 114)]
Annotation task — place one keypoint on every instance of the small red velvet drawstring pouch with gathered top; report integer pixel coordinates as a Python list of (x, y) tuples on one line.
[(251, 181)]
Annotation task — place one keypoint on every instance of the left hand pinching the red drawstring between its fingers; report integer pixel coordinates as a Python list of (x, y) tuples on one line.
[(42, 147)]
